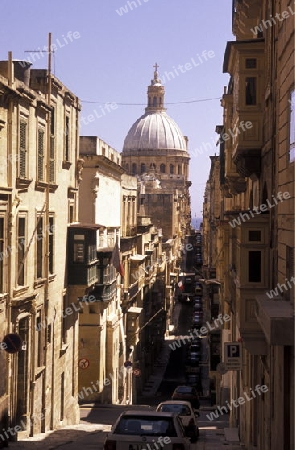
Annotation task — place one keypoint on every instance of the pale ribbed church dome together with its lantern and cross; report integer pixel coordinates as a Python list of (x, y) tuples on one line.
[(155, 129)]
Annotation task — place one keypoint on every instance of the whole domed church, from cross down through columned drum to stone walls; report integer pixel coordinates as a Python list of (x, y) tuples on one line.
[(155, 151)]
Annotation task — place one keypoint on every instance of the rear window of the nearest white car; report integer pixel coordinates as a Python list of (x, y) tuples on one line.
[(149, 426)]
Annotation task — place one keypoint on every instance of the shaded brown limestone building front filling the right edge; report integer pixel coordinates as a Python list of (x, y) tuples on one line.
[(255, 229)]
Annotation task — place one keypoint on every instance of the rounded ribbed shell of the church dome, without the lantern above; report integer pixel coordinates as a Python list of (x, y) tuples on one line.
[(154, 130)]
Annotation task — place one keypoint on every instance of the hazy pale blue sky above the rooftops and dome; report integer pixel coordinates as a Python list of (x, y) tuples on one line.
[(105, 51)]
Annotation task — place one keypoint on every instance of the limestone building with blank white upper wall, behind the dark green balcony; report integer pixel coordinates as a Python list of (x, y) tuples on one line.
[(101, 332)]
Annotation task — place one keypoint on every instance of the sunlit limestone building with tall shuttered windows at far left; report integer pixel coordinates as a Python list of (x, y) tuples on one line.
[(38, 199)]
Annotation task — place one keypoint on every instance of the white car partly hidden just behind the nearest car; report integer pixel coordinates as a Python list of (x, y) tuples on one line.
[(186, 413)]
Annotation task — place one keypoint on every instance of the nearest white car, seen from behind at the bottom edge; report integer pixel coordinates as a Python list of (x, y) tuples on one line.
[(146, 430)]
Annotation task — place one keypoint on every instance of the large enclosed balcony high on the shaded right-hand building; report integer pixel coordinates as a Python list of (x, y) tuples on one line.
[(244, 60)]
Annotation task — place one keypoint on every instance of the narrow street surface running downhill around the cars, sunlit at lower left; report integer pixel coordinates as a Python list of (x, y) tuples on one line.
[(96, 420)]
